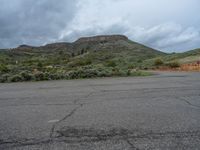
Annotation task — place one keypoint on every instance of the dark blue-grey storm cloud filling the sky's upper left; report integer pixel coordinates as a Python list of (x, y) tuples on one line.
[(33, 21)]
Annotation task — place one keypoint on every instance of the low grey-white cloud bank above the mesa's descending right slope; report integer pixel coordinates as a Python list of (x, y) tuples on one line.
[(170, 37)]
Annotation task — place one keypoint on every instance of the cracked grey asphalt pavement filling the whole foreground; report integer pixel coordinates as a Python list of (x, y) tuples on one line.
[(139, 113)]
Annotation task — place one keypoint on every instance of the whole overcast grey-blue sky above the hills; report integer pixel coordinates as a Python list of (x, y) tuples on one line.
[(167, 25)]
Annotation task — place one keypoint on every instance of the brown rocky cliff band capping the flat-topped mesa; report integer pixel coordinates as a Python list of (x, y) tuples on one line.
[(102, 38)]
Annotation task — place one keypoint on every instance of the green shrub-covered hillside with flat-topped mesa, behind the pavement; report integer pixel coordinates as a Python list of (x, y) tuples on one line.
[(101, 56)]
